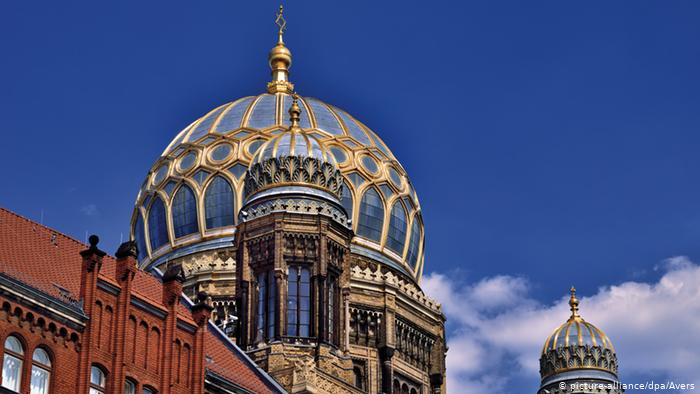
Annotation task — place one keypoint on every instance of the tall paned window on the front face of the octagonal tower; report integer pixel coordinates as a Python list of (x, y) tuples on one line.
[(298, 302)]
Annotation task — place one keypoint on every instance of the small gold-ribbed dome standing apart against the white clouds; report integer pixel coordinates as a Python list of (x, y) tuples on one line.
[(577, 345)]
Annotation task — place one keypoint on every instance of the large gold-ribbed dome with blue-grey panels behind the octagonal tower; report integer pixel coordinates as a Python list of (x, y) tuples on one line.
[(192, 195)]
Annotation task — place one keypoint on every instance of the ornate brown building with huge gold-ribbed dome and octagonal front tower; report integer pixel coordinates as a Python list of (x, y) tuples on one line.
[(306, 231)]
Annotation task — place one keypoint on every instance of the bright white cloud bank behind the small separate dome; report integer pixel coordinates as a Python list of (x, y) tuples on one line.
[(497, 329)]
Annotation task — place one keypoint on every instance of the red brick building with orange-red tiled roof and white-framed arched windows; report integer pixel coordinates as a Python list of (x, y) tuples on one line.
[(76, 320)]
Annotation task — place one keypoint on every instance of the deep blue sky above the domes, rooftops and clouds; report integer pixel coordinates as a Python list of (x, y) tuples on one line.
[(552, 140)]
